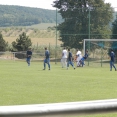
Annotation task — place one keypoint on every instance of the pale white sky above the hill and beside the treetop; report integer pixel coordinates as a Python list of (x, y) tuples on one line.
[(45, 4)]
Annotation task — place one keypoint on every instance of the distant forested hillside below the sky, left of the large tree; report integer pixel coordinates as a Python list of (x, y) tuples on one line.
[(11, 15)]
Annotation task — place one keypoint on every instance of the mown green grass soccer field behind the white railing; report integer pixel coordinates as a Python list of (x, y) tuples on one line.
[(21, 84)]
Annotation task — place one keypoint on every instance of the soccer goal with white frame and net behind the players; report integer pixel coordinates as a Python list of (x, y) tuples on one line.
[(99, 50)]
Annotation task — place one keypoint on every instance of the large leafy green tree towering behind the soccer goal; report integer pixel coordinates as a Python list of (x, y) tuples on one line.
[(84, 19)]
